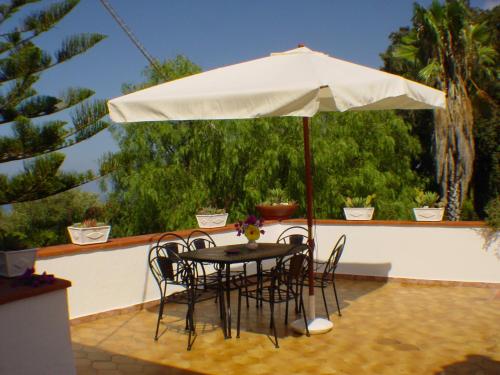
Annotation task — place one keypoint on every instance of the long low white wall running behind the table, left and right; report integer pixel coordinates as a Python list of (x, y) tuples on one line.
[(110, 279)]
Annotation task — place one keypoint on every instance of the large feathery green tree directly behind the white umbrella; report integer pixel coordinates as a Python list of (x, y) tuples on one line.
[(165, 171)]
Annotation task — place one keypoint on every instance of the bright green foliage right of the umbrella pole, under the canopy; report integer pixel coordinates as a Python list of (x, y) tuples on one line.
[(350, 163)]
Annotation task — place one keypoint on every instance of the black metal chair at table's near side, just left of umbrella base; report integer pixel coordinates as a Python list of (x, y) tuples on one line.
[(289, 270)]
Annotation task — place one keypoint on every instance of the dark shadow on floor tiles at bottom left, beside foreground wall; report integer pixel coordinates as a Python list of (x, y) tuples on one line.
[(93, 360)]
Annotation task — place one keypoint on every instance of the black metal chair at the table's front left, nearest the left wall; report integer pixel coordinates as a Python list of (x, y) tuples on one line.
[(168, 268)]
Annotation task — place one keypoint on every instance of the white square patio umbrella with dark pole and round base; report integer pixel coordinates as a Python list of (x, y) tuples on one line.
[(299, 82)]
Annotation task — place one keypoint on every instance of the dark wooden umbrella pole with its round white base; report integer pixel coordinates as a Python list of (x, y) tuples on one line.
[(315, 325)]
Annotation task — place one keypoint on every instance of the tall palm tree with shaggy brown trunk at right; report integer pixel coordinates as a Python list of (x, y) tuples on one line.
[(445, 48)]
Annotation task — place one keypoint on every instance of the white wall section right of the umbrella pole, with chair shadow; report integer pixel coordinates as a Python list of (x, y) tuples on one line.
[(414, 252)]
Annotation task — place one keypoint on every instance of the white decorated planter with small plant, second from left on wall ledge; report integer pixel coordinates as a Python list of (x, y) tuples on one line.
[(90, 230)]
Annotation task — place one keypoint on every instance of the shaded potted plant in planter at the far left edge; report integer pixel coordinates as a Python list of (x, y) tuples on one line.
[(15, 258)]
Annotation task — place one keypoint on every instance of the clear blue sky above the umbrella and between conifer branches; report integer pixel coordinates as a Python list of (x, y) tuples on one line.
[(211, 34)]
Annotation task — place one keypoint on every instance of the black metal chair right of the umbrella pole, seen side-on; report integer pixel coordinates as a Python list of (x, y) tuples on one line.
[(324, 272)]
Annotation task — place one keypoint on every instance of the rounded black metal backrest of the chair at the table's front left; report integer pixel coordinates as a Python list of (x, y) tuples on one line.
[(168, 268)]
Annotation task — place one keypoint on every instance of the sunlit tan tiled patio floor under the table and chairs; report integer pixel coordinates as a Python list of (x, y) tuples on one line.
[(386, 328)]
